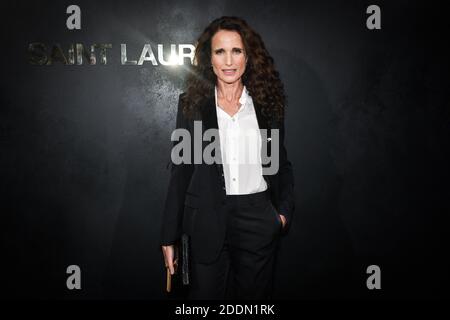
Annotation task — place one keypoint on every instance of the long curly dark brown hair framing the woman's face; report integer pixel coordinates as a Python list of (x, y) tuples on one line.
[(260, 77)]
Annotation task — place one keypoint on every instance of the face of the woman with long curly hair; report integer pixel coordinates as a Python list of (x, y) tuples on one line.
[(228, 56)]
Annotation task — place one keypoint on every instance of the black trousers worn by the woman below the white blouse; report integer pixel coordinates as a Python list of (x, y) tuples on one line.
[(245, 266)]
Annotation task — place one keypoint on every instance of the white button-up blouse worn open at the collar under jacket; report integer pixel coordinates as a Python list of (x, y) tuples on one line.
[(240, 145)]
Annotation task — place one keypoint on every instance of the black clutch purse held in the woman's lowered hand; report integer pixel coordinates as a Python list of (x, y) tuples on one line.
[(181, 277)]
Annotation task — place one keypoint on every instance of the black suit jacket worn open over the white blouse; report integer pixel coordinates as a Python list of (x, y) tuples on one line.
[(196, 192)]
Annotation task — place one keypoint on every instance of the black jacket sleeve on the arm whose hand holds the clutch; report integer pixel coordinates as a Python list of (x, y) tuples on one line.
[(180, 176)]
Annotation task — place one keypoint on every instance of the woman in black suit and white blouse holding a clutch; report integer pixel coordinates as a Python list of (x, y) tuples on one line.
[(233, 211)]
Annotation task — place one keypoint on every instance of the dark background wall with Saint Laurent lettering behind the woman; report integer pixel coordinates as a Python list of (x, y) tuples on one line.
[(84, 148)]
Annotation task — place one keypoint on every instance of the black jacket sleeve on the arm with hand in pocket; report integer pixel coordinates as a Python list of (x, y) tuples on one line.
[(286, 181)]
